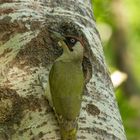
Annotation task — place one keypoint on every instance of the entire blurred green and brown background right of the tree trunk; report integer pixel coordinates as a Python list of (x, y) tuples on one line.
[(118, 22)]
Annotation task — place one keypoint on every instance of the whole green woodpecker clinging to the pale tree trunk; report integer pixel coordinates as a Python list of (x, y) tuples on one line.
[(66, 83)]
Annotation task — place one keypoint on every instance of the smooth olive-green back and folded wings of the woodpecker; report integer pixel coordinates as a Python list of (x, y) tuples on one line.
[(66, 84)]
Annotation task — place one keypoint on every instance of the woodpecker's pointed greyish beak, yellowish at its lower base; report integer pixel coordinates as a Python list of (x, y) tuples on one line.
[(58, 37)]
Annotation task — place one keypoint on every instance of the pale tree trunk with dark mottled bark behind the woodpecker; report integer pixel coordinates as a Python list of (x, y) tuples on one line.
[(27, 53)]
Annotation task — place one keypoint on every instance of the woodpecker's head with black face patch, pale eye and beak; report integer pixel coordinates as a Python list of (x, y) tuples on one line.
[(72, 46)]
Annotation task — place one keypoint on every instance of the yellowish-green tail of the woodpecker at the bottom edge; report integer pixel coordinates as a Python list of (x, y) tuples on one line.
[(68, 130)]
